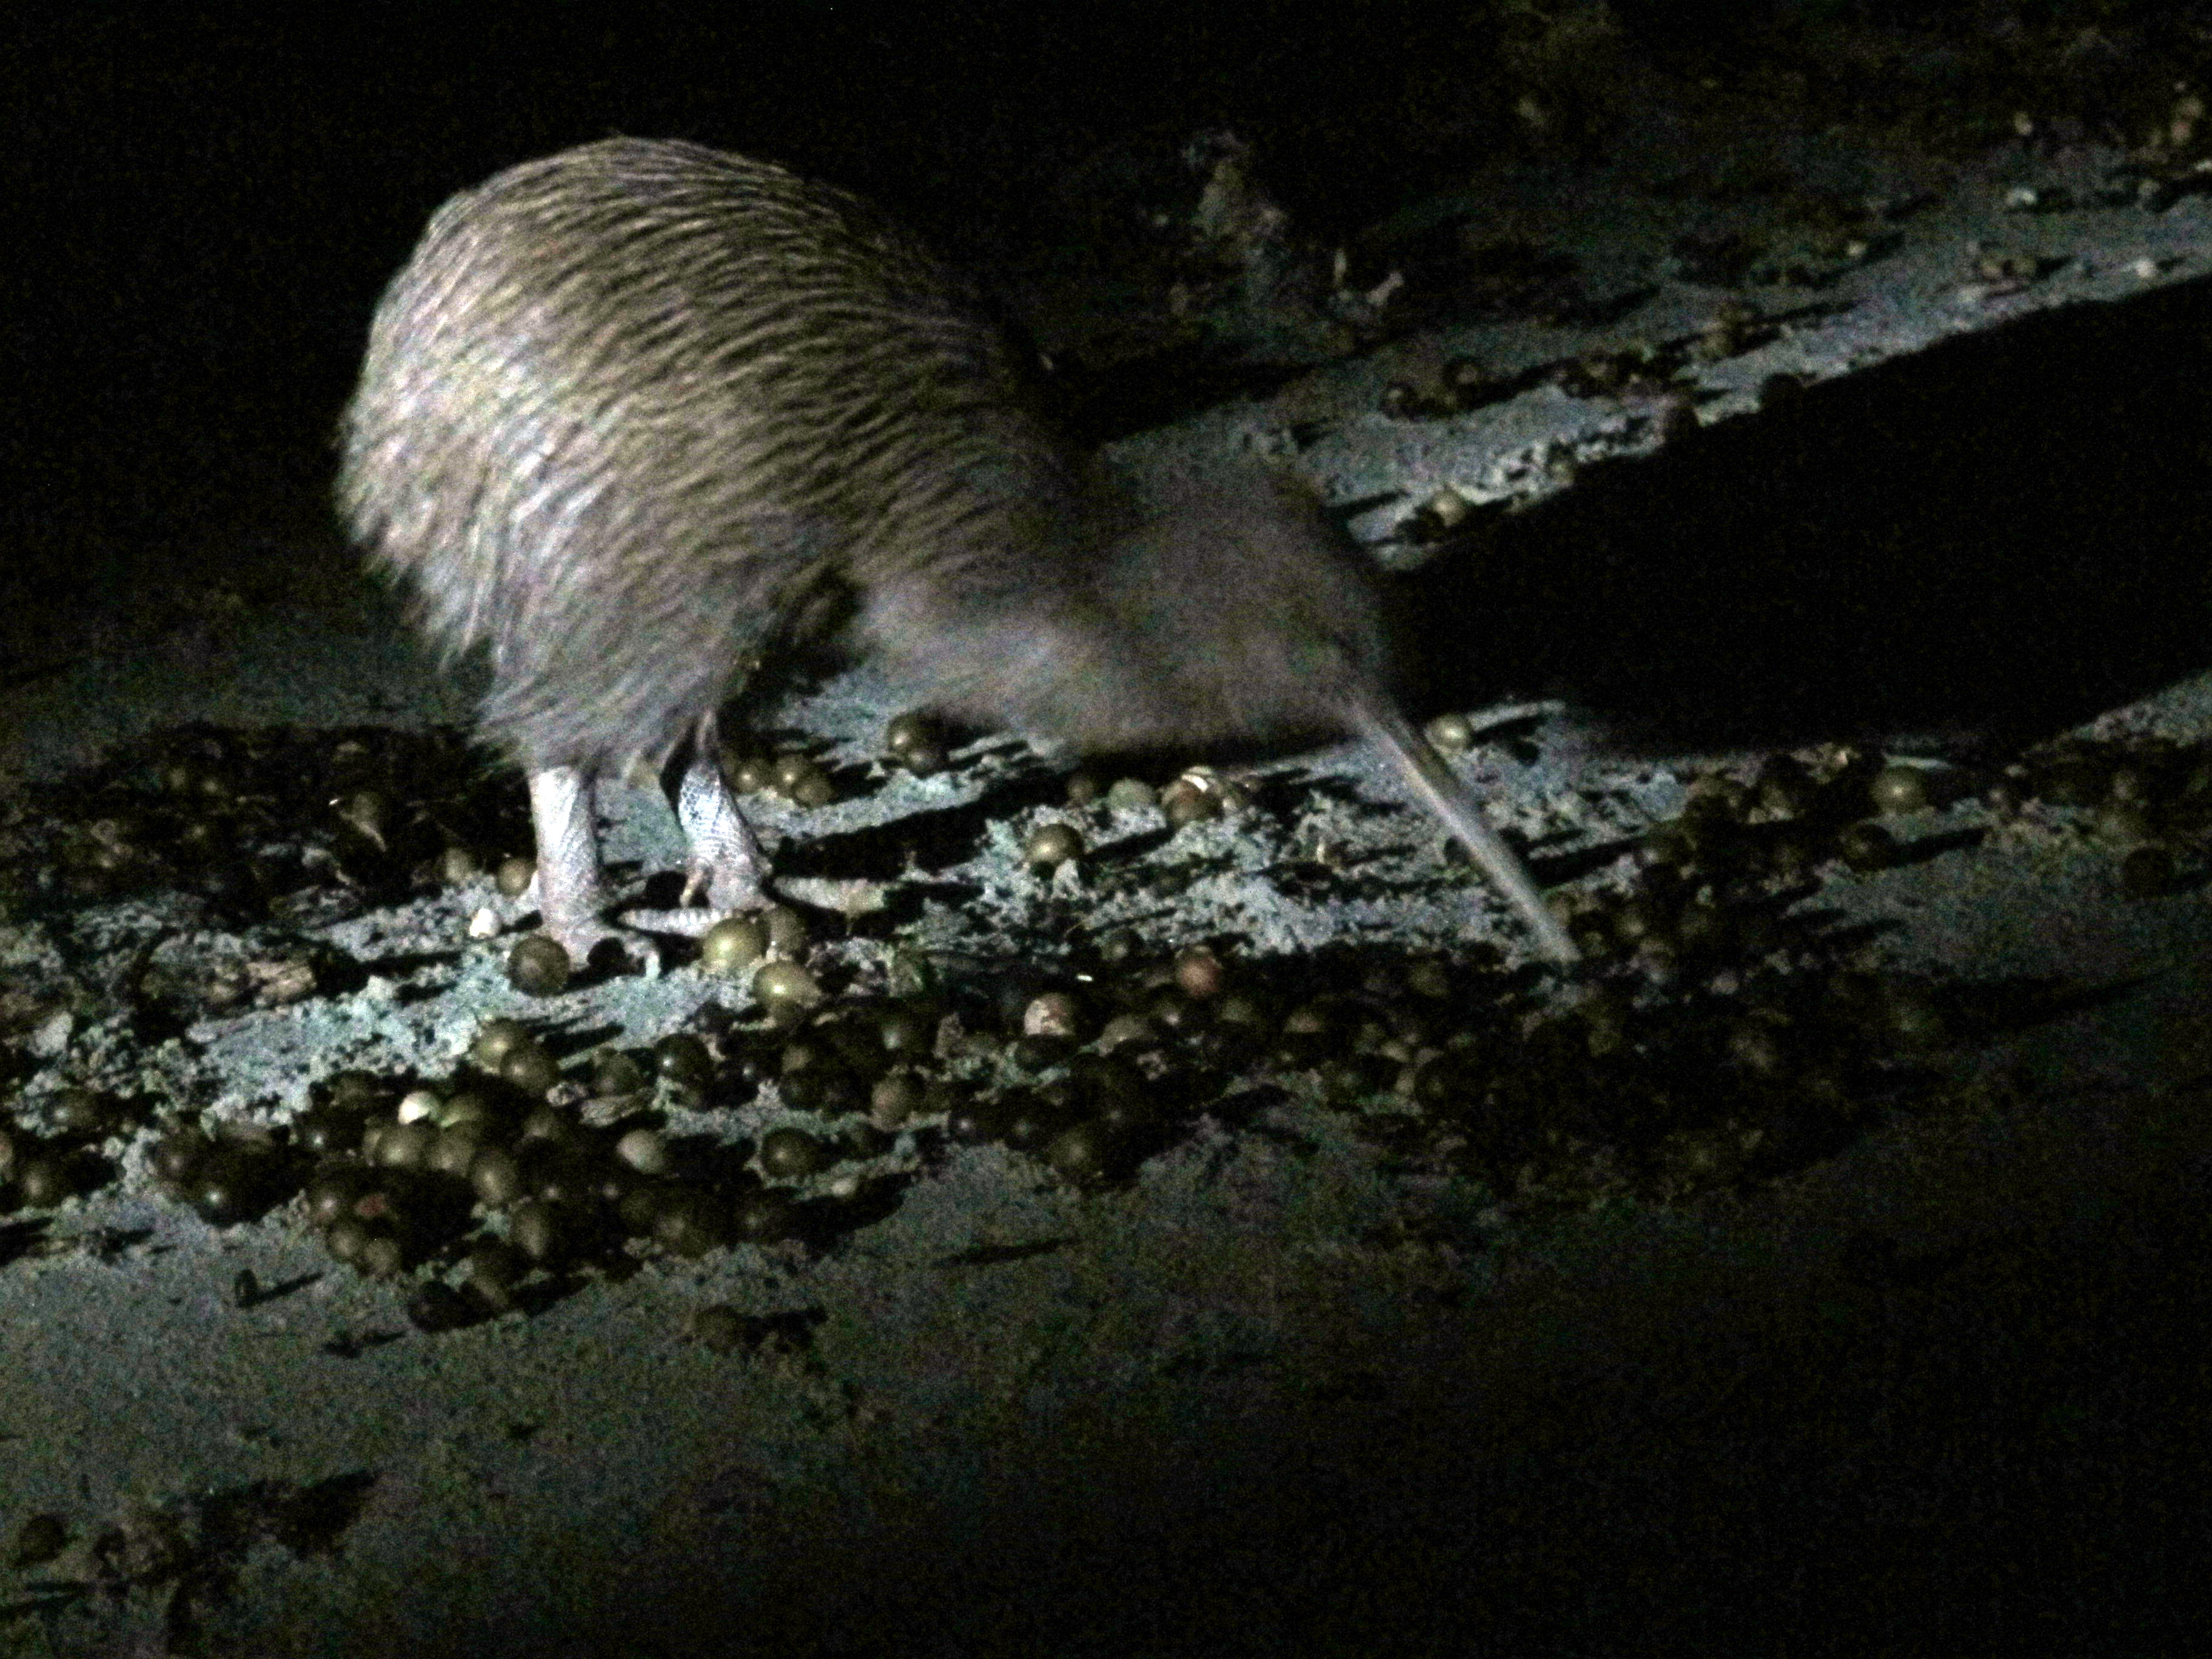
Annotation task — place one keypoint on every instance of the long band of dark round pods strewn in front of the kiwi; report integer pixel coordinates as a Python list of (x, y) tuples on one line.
[(1718, 1039)]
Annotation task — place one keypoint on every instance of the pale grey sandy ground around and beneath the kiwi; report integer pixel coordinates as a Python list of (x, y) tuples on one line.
[(1277, 1392)]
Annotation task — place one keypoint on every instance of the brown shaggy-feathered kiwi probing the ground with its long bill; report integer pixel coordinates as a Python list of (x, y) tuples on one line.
[(634, 408)]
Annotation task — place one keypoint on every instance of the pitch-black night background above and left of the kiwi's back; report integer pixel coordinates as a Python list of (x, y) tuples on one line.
[(207, 205)]
